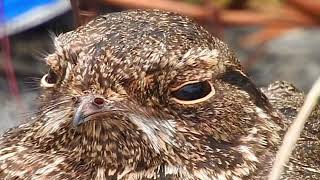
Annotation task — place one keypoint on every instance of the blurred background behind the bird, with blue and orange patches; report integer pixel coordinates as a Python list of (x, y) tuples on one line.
[(274, 39)]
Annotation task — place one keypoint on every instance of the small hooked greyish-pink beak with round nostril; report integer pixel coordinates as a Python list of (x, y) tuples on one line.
[(89, 106)]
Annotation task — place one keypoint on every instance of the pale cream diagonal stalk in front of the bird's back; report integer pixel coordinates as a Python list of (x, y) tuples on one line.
[(294, 132)]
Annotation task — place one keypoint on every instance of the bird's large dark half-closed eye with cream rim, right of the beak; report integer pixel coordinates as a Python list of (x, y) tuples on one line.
[(193, 92)]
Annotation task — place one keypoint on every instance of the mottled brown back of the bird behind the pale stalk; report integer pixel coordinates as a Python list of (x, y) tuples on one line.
[(305, 162)]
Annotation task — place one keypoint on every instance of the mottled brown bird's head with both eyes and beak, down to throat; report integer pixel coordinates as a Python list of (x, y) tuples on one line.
[(148, 81)]
